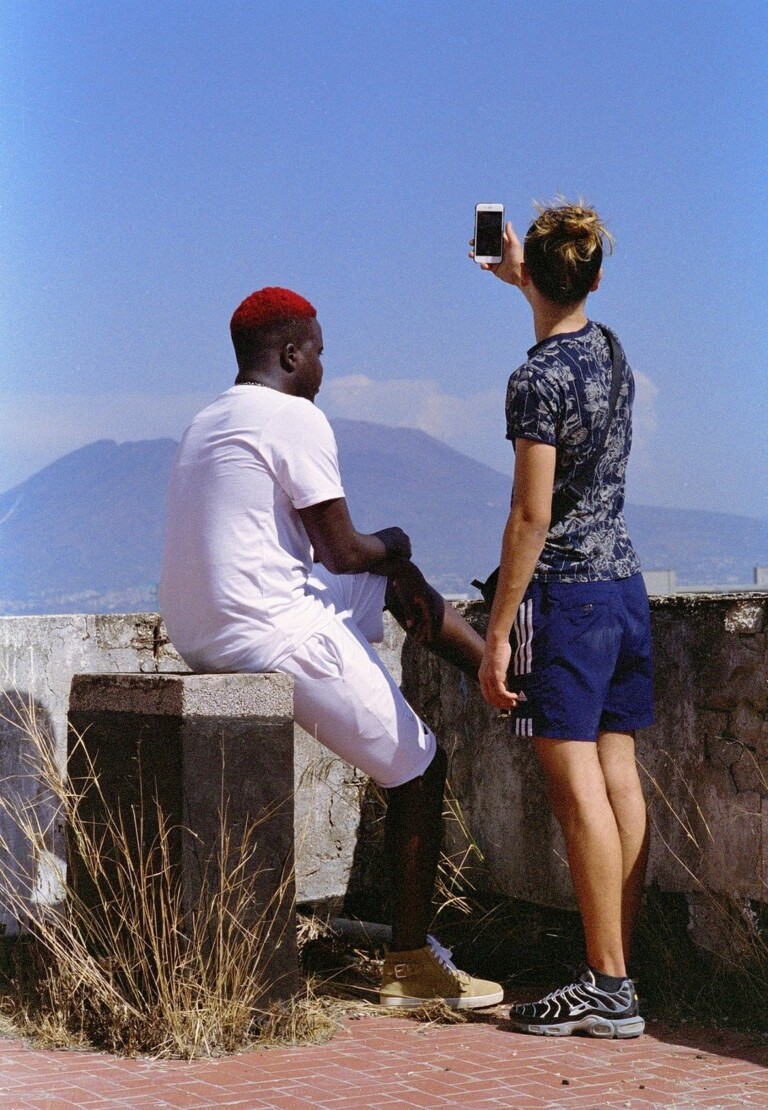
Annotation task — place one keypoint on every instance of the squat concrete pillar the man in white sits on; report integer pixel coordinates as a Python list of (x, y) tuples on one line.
[(213, 751)]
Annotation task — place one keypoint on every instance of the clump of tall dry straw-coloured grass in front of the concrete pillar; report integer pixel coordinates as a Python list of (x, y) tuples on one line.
[(134, 971)]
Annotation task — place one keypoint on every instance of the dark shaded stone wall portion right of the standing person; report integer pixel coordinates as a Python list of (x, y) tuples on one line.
[(708, 759)]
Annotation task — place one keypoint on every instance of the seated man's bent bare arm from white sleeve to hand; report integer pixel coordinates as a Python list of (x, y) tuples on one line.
[(342, 550)]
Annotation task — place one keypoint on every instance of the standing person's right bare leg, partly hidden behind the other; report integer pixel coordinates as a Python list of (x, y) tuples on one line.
[(617, 754)]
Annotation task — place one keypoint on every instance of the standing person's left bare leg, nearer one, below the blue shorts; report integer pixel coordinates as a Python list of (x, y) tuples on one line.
[(579, 798)]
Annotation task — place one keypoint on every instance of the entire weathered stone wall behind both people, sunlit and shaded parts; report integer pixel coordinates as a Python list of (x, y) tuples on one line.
[(705, 762)]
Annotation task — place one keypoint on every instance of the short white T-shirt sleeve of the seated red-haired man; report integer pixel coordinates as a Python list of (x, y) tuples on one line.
[(300, 448)]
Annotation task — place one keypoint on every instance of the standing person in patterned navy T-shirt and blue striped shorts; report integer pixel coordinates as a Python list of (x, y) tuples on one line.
[(569, 640)]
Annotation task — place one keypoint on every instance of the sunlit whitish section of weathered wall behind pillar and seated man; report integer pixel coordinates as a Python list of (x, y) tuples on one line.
[(38, 658)]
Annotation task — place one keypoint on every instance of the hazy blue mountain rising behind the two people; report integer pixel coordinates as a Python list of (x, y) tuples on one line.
[(85, 534)]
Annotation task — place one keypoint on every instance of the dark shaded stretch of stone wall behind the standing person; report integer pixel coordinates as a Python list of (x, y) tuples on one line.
[(705, 766)]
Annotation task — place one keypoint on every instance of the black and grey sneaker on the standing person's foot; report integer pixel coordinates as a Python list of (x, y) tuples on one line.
[(582, 1006)]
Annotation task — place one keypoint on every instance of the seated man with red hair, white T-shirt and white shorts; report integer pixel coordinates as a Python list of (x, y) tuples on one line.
[(264, 570)]
